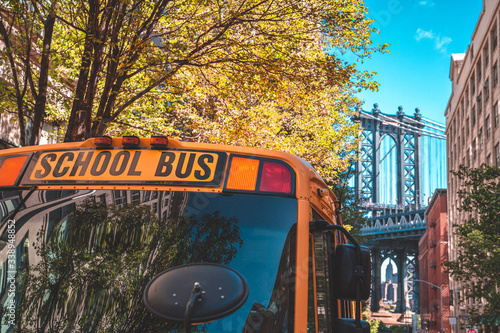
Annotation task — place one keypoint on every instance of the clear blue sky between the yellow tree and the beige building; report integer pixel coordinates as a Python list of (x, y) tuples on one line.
[(422, 35)]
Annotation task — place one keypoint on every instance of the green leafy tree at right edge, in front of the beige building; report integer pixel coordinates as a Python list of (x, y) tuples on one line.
[(477, 265)]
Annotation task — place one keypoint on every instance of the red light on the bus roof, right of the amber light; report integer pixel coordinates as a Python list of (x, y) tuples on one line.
[(276, 177)]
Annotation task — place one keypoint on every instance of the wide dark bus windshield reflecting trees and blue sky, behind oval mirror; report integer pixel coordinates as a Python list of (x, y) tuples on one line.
[(81, 259)]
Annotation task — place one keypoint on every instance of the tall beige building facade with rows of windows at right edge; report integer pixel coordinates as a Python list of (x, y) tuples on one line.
[(472, 128)]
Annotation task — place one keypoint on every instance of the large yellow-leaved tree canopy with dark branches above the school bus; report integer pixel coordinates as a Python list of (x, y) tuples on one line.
[(253, 72)]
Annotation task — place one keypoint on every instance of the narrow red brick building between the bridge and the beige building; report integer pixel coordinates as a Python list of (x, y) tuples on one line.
[(433, 250)]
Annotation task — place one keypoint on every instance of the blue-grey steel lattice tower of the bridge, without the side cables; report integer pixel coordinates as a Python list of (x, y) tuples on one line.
[(393, 231)]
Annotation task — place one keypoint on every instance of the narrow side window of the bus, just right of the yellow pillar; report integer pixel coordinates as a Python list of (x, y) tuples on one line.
[(320, 312)]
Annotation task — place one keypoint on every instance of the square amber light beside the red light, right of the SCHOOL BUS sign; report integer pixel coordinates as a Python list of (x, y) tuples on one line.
[(243, 174)]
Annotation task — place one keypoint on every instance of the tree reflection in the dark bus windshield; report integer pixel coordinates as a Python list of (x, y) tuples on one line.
[(95, 264)]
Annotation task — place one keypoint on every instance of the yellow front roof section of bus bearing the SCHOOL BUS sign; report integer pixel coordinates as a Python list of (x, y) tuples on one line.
[(163, 164)]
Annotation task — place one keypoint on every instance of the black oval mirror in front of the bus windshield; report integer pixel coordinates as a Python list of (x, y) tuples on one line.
[(192, 293)]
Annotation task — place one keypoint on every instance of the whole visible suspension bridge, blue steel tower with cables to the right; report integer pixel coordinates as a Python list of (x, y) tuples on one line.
[(402, 162)]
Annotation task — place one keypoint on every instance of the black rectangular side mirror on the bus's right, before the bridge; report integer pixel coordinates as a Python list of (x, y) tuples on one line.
[(346, 272)]
